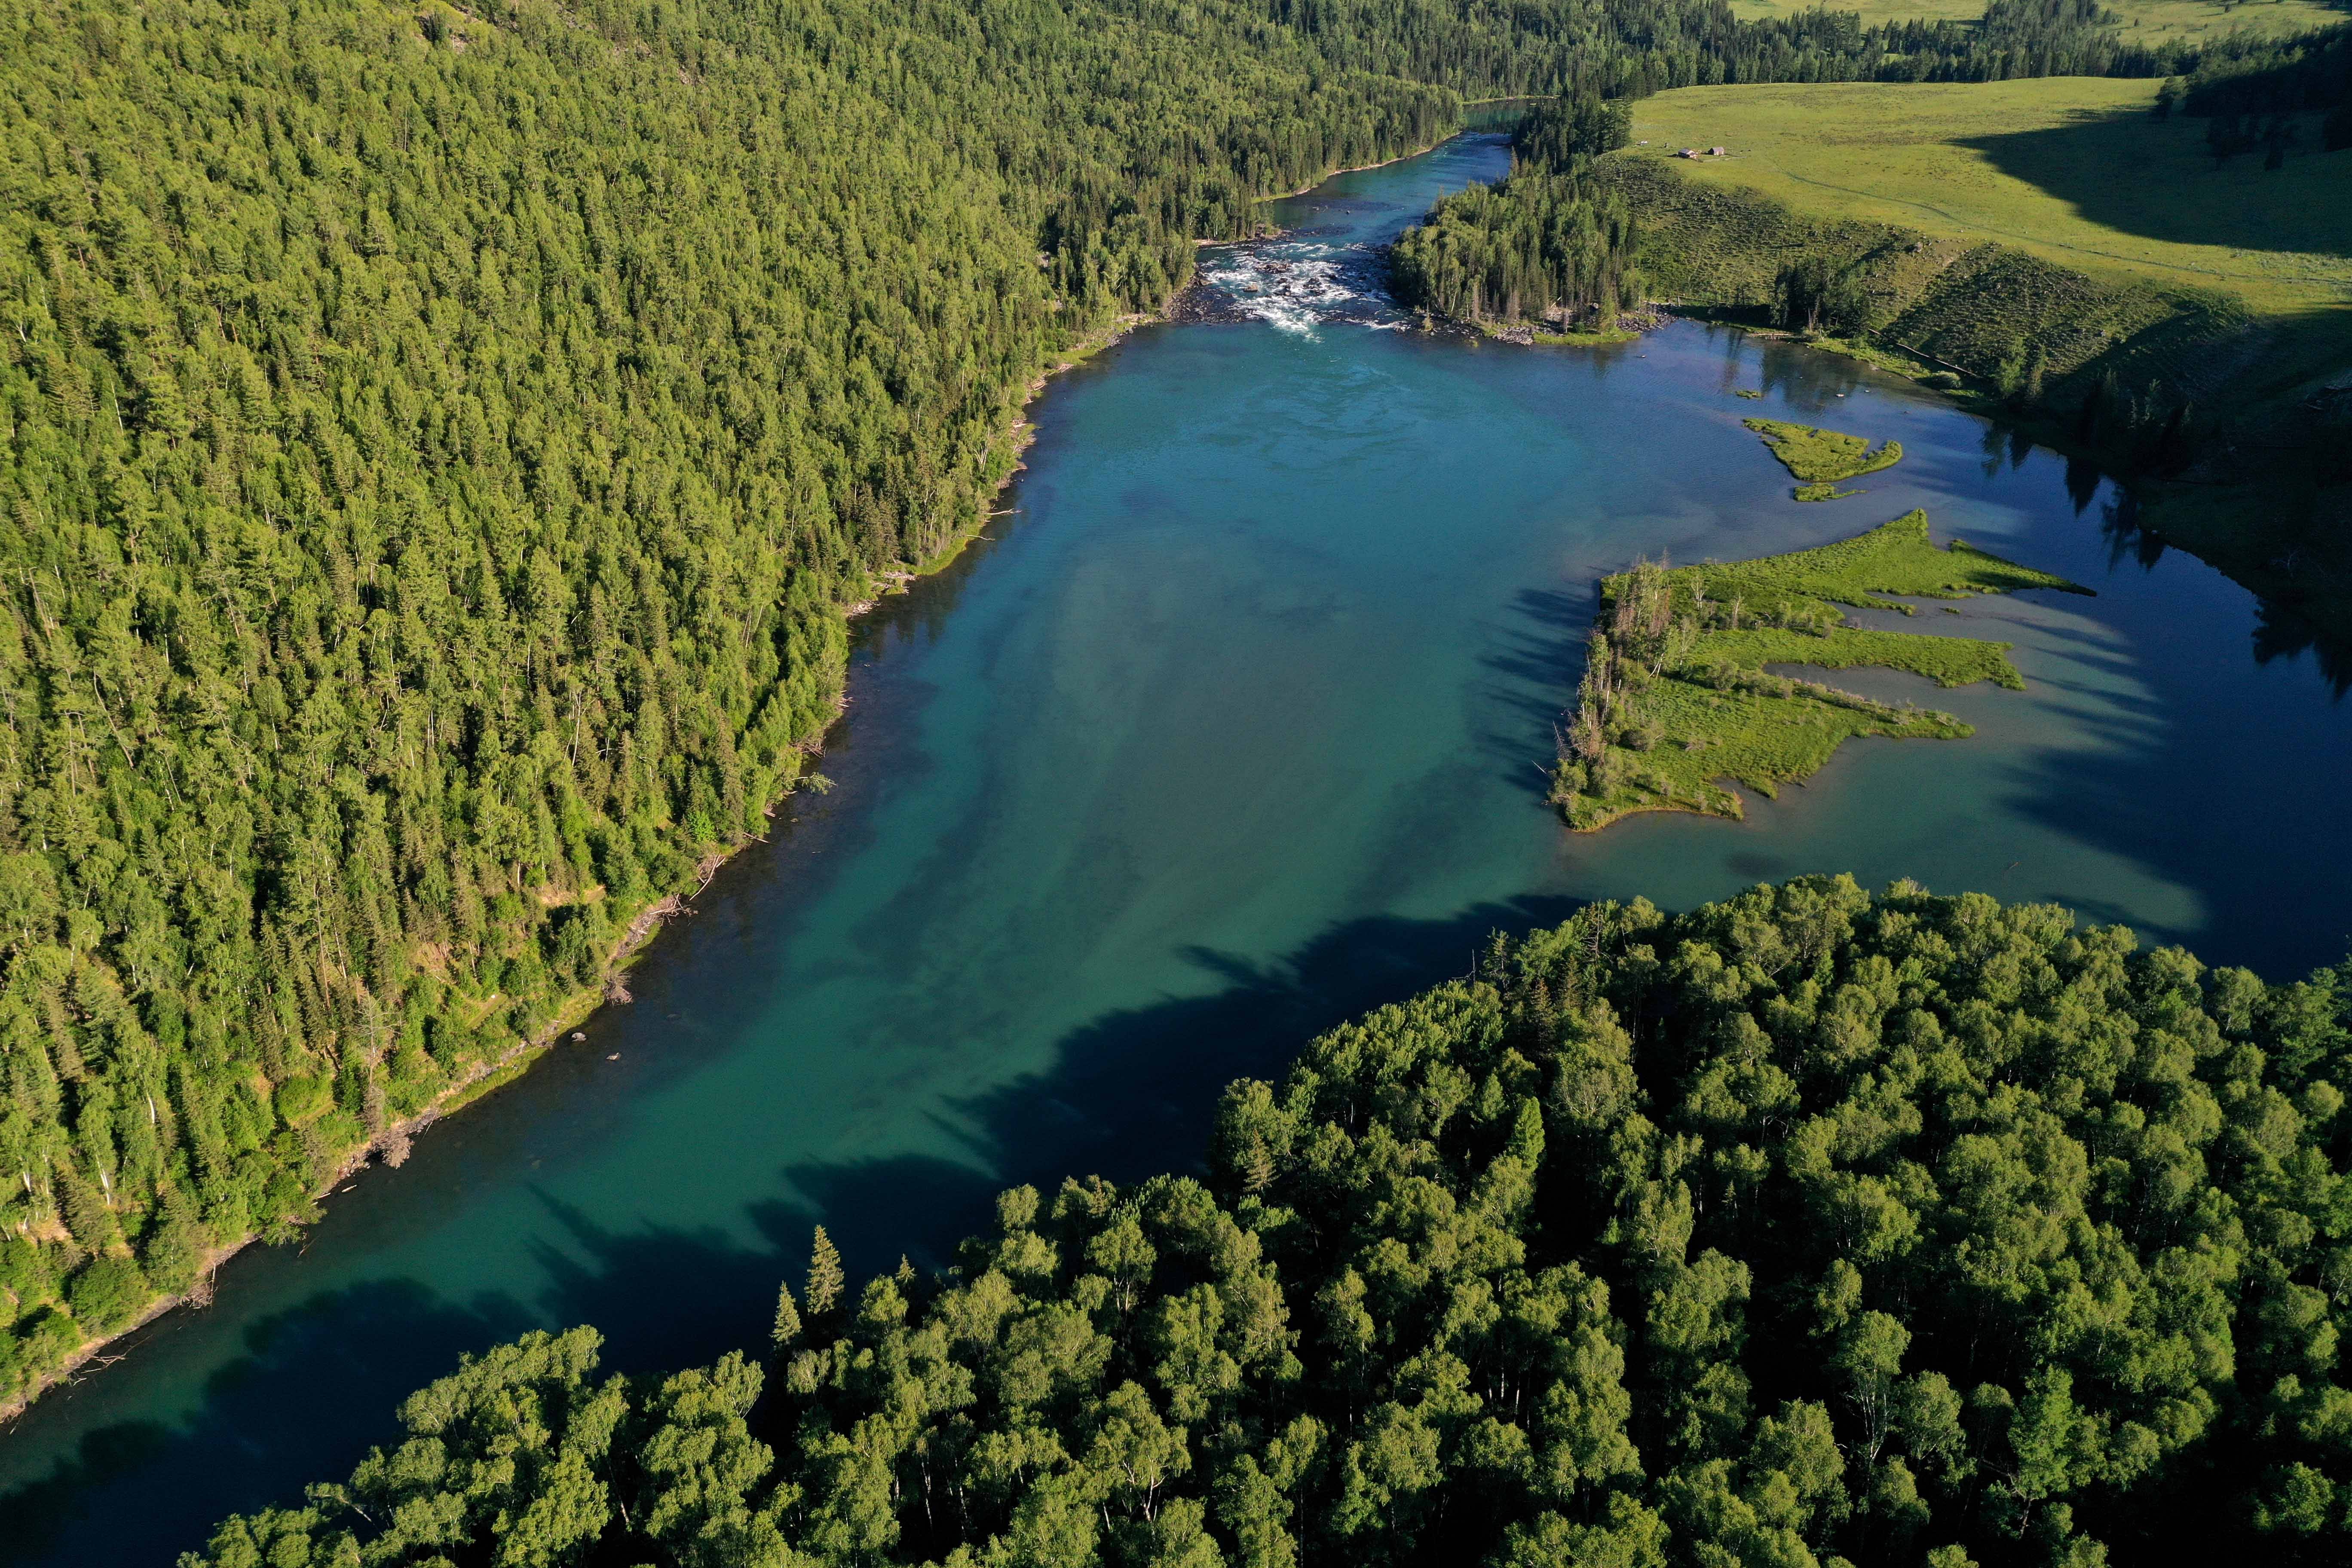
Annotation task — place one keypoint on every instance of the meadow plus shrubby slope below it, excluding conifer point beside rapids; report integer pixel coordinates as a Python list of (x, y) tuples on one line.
[(2057, 222)]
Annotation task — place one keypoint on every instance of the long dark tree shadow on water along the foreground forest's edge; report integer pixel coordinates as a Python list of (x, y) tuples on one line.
[(1130, 1094)]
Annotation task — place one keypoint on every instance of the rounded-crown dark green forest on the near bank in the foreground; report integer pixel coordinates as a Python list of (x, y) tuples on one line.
[(1805, 1228)]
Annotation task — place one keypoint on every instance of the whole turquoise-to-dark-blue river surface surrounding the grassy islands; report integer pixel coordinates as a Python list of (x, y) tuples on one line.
[(1234, 728)]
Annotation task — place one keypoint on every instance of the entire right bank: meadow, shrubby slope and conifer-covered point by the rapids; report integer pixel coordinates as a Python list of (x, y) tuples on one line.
[(2064, 253)]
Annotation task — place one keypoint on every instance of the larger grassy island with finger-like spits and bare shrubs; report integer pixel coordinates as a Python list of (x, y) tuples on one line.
[(1678, 692)]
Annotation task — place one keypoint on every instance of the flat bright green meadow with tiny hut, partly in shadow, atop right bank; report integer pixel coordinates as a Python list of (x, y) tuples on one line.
[(2073, 170)]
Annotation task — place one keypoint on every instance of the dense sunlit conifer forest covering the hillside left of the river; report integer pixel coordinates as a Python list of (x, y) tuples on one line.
[(439, 450)]
